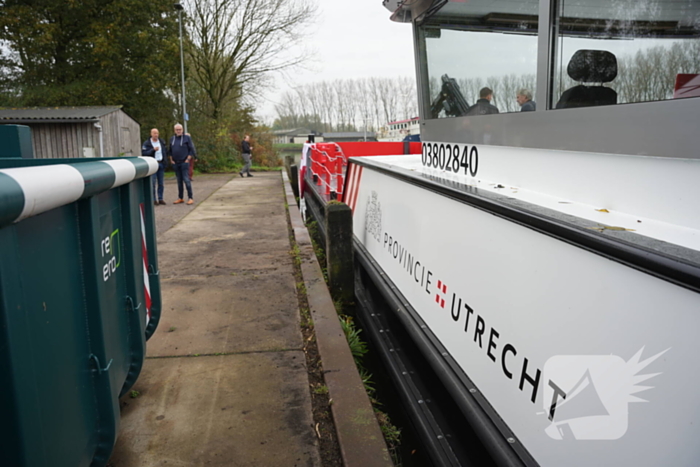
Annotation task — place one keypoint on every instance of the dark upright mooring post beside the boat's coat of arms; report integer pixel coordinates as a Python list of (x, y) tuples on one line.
[(339, 253)]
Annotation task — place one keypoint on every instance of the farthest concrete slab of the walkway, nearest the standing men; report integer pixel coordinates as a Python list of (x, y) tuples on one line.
[(241, 227)]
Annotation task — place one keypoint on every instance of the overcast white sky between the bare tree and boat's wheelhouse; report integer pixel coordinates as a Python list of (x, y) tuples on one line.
[(350, 39)]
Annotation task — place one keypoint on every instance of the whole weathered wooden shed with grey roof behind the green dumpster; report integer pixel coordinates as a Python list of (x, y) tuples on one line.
[(66, 132)]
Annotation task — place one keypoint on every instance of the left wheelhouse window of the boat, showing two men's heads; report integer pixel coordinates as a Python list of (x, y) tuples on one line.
[(481, 57)]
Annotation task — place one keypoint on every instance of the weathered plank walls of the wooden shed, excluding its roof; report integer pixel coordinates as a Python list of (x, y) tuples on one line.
[(121, 137)]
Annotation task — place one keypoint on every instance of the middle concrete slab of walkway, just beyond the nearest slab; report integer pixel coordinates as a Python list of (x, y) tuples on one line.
[(225, 313)]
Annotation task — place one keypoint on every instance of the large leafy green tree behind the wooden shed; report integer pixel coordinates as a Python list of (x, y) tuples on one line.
[(91, 52)]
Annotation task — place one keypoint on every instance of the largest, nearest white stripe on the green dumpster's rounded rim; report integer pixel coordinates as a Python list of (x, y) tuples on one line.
[(47, 187)]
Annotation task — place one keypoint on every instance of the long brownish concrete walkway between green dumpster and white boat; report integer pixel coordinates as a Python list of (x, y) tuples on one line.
[(225, 382)]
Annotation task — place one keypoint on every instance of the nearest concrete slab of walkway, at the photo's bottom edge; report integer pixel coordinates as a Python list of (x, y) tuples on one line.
[(234, 410)]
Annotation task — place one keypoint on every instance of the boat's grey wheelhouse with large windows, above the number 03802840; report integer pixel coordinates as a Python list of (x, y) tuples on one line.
[(636, 65)]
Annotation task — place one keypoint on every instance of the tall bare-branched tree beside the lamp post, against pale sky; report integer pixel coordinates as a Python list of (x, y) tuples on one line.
[(235, 44)]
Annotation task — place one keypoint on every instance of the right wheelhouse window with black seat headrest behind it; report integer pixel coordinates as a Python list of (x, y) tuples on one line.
[(621, 51)]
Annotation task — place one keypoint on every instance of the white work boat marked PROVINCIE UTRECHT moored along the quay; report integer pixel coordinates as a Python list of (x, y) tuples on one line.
[(532, 275)]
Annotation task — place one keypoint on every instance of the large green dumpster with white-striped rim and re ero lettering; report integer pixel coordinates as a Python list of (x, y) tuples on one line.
[(79, 297)]
